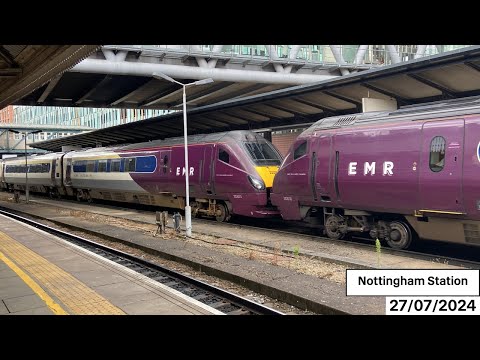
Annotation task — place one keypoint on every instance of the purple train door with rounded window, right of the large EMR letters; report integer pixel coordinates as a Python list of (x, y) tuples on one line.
[(441, 175)]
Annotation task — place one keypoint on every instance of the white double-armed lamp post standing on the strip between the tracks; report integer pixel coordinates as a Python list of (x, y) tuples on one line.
[(188, 210)]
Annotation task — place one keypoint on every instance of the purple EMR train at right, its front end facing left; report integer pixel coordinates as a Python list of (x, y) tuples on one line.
[(394, 175)]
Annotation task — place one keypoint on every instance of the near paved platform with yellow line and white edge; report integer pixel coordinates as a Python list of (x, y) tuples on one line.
[(42, 274)]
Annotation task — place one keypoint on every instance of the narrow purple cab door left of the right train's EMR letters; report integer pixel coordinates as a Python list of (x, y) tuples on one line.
[(320, 182)]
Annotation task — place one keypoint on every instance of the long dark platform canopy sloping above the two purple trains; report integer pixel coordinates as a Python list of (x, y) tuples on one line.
[(451, 75)]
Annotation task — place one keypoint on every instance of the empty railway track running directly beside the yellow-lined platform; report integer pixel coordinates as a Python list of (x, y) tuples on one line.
[(223, 301)]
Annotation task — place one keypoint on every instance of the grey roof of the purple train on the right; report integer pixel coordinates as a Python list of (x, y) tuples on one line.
[(455, 107)]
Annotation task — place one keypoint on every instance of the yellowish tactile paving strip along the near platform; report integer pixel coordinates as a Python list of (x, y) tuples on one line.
[(72, 293)]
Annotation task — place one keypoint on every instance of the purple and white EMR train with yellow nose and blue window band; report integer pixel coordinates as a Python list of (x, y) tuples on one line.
[(230, 173)]
